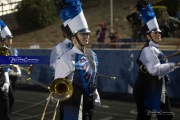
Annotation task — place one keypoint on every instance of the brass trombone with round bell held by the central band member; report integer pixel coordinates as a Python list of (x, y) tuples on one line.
[(60, 89)]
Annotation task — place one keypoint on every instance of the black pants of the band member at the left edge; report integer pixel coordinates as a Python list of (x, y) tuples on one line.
[(4, 105)]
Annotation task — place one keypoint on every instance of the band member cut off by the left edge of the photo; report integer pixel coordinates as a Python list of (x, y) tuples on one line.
[(6, 89)]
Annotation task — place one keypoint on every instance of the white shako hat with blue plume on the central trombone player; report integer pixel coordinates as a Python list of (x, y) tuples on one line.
[(73, 18)]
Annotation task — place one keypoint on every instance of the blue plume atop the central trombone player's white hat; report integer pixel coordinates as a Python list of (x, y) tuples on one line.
[(72, 9)]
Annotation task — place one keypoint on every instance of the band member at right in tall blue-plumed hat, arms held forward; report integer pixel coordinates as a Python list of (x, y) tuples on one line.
[(150, 87)]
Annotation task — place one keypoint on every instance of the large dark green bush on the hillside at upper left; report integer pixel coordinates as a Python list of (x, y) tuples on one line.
[(34, 14)]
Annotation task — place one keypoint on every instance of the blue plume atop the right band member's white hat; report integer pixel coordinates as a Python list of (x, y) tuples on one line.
[(147, 13)]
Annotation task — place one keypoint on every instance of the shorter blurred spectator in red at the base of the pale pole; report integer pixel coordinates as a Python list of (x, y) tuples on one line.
[(113, 39)]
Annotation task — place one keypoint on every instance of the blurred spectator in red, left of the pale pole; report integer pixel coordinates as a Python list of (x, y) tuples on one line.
[(101, 34)]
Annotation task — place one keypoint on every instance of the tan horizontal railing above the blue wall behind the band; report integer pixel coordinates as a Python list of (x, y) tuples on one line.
[(119, 45)]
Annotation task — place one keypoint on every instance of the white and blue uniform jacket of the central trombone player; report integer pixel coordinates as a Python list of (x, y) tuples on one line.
[(80, 68)]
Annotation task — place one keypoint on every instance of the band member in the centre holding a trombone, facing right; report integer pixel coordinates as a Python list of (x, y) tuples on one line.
[(78, 64)]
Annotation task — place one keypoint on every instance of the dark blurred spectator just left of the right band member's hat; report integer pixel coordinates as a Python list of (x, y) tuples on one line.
[(134, 18)]
